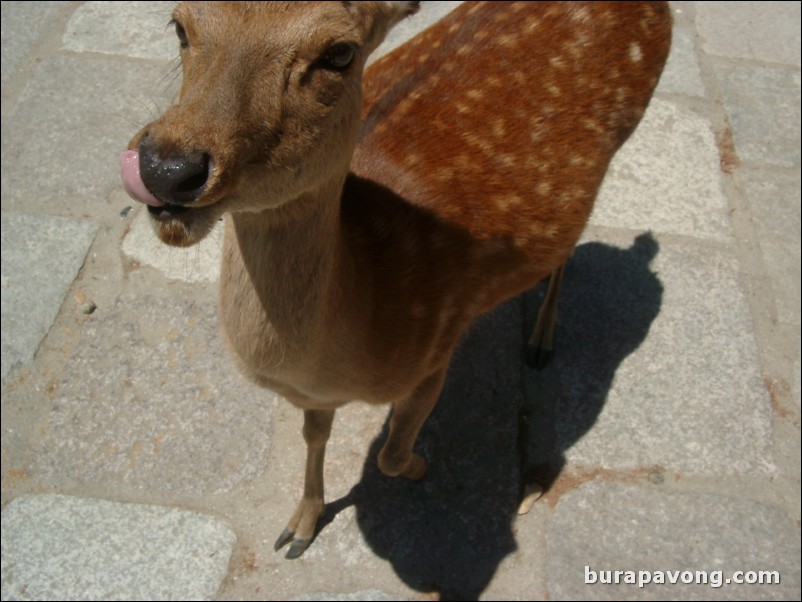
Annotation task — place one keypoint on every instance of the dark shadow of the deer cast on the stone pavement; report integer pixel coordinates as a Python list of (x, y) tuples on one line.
[(500, 424)]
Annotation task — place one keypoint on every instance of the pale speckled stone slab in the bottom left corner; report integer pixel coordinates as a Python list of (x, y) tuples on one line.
[(57, 547)]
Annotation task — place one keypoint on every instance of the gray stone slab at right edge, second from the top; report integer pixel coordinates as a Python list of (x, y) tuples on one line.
[(763, 108)]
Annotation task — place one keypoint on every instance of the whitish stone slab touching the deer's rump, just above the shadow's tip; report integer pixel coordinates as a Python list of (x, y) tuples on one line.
[(666, 177)]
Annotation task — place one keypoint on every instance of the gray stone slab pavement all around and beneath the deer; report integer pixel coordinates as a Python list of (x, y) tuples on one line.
[(137, 464)]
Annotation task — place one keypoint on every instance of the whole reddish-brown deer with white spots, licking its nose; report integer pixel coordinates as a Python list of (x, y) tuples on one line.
[(371, 214)]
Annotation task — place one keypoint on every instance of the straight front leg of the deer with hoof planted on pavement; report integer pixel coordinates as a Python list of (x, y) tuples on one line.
[(301, 528)]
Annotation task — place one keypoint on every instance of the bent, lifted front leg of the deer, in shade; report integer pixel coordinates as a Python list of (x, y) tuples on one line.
[(396, 457)]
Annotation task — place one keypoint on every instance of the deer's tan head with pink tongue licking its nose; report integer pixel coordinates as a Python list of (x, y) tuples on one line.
[(272, 118)]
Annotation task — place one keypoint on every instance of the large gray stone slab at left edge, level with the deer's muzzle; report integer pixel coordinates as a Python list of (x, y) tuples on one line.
[(61, 143)]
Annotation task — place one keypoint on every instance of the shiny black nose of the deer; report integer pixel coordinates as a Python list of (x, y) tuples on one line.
[(178, 179)]
